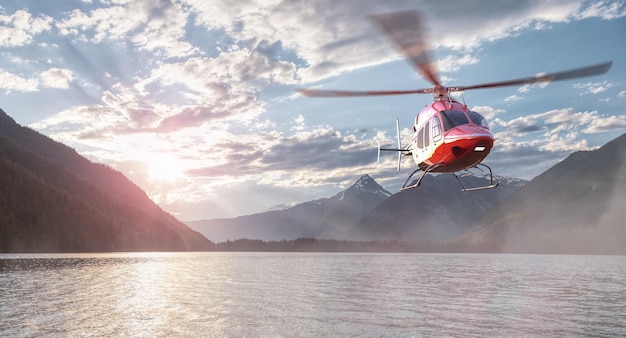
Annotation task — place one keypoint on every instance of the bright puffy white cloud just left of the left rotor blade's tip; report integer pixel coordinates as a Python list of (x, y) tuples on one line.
[(225, 85)]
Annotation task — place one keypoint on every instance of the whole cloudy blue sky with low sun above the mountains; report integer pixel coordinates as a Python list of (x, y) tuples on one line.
[(195, 101)]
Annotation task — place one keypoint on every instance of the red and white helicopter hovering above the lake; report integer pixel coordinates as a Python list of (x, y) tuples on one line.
[(448, 137)]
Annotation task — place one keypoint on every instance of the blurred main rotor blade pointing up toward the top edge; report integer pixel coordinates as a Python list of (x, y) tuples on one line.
[(406, 30)]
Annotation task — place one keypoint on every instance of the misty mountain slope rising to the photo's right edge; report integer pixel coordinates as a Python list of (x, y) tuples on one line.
[(577, 206)]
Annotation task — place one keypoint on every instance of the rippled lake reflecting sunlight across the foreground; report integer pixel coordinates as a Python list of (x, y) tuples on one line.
[(311, 294)]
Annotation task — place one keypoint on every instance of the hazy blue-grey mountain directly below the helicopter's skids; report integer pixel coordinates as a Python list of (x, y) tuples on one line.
[(437, 211)]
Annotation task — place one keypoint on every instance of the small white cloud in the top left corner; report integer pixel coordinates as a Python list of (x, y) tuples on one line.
[(19, 28)]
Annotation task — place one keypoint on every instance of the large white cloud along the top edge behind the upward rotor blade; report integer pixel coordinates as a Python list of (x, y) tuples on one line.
[(330, 37)]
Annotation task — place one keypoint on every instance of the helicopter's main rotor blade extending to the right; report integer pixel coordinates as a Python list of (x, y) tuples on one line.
[(564, 75)]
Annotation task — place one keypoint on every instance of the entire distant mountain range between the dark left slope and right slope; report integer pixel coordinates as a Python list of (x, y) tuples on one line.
[(437, 211)]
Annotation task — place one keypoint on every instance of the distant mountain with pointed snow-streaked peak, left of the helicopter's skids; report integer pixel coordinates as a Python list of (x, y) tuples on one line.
[(327, 218)]
